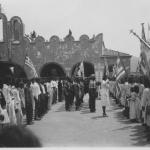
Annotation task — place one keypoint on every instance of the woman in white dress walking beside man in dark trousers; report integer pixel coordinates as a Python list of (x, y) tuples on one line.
[(104, 97)]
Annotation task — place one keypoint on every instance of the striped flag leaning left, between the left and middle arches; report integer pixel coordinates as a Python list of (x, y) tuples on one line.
[(29, 63)]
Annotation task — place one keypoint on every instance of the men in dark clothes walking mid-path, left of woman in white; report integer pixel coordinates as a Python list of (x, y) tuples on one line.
[(76, 88)]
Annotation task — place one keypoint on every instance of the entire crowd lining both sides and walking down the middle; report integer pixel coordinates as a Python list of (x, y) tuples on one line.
[(31, 99)]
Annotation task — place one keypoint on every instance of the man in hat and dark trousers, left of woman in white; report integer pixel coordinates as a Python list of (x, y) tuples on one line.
[(92, 93)]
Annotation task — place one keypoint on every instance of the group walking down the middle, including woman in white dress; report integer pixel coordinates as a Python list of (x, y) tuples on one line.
[(76, 89)]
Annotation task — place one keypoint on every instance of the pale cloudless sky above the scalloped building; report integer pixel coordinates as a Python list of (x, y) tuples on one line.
[(113, 18)]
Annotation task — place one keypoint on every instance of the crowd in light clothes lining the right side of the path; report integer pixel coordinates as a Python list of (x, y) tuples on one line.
[(133, 94)]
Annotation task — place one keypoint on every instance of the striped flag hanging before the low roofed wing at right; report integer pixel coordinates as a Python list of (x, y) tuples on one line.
[(120, 69)]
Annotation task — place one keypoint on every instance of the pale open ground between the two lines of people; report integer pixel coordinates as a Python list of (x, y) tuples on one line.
[(59, 128)]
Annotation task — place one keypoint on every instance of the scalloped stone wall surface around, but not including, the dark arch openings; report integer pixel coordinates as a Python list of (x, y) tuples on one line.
[(66, 52)]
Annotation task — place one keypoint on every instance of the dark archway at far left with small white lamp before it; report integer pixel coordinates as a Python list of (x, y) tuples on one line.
[(11, 70)]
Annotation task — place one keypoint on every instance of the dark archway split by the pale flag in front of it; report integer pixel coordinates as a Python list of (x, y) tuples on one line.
[(88, 69)]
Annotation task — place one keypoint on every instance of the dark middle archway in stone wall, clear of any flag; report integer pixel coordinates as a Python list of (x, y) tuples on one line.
[(52, 70)]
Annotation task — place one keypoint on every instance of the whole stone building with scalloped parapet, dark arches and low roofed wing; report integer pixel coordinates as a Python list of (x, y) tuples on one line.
[(53, 56)]
